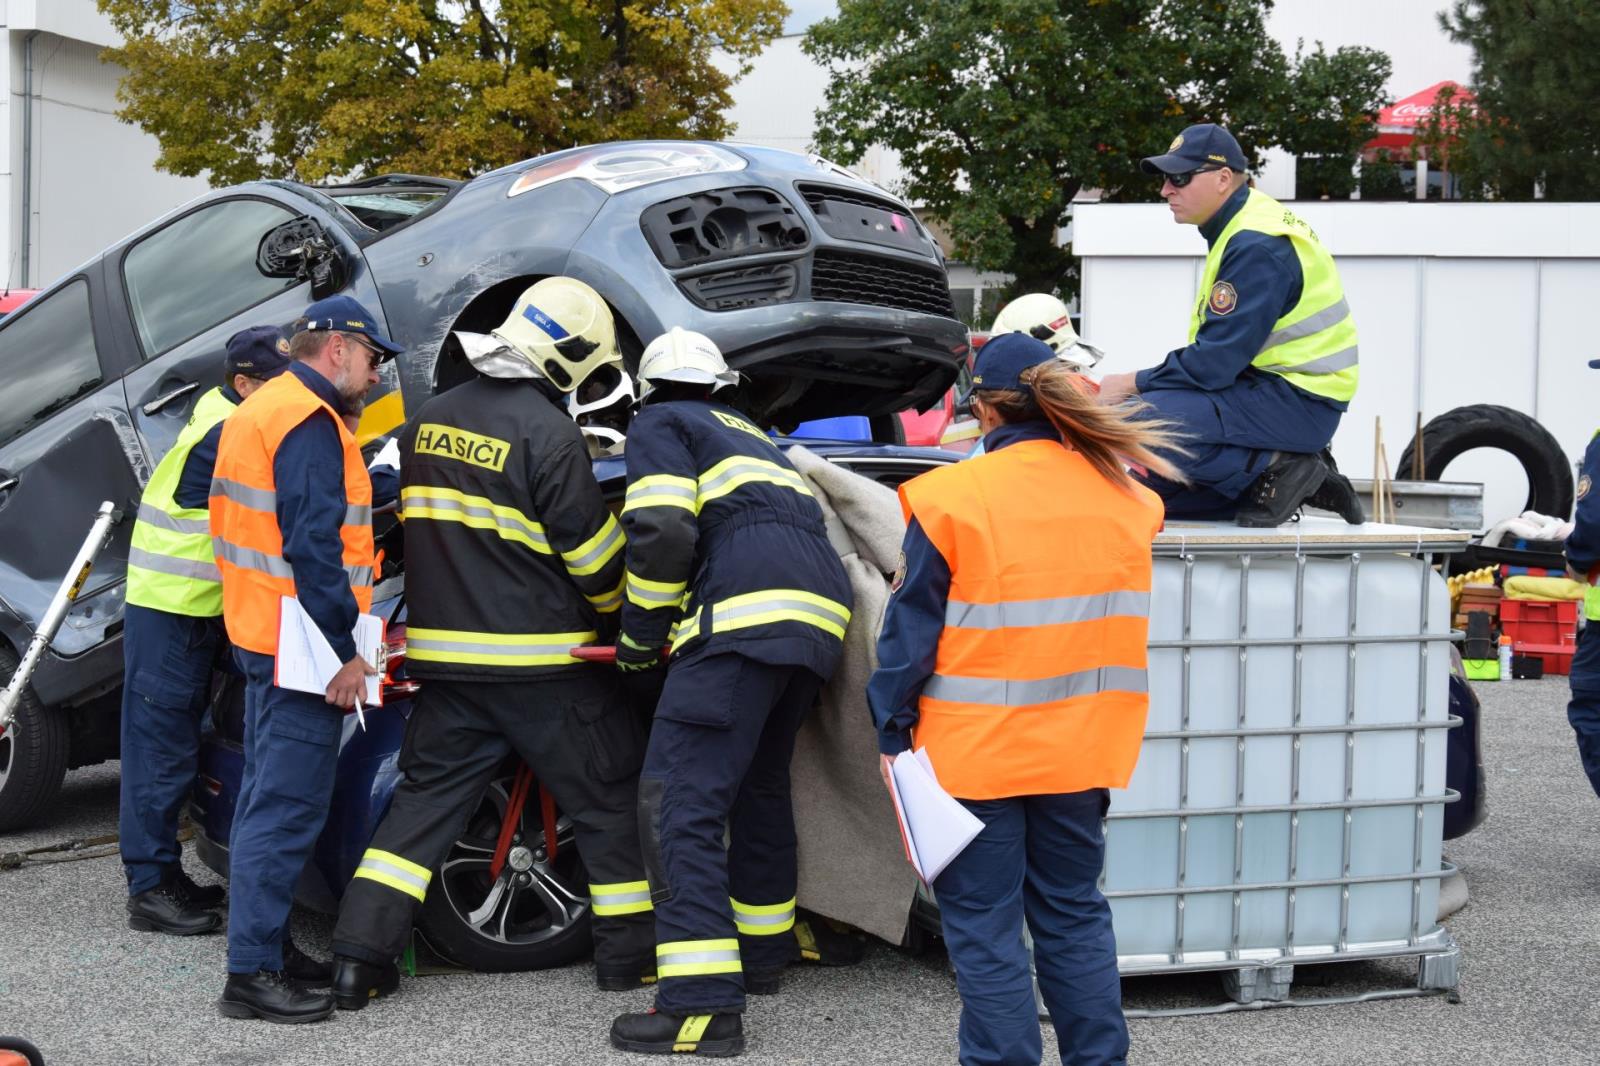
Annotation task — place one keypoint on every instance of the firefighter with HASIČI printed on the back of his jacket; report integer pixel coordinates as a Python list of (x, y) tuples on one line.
[(513, 558)]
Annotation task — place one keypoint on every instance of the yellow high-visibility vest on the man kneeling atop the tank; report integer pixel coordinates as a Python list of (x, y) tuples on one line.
[(1314, 345)]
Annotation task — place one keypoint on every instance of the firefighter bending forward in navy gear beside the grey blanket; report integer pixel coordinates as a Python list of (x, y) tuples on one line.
[(729, 563)]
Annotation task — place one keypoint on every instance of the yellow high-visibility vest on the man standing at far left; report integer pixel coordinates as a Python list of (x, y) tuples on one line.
[(170, 564)]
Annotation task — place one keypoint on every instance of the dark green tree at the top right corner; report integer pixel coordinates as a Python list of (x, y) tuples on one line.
[(1537, 78)]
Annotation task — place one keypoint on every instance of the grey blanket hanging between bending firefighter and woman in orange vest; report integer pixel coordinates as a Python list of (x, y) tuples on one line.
[(852, 860)]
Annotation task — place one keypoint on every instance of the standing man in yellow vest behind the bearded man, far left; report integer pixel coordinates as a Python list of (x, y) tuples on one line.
[(172, 635)]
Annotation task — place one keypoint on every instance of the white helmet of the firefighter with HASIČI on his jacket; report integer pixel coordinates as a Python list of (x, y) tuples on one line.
[(564, 329)]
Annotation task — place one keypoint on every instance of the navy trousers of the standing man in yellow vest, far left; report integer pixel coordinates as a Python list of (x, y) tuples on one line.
[(169, 663)]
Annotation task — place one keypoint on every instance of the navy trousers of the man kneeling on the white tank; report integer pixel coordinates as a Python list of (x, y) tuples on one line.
[(1231, 436)]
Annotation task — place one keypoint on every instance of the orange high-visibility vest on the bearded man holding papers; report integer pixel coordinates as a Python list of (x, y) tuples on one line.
[(246, 523)]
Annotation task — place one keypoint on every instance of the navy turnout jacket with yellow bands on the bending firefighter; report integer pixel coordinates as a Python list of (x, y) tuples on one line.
[(727, 548)]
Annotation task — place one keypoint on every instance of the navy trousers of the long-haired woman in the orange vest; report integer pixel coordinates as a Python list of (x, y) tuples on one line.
[(1038, 859)]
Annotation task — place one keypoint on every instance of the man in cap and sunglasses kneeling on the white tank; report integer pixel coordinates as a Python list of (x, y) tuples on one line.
[(1271, 361)]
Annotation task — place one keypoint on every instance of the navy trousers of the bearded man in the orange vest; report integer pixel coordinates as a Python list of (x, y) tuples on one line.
[(292, 748)]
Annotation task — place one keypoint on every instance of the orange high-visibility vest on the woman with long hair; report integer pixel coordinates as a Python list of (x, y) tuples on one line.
[(1039, 683)]
